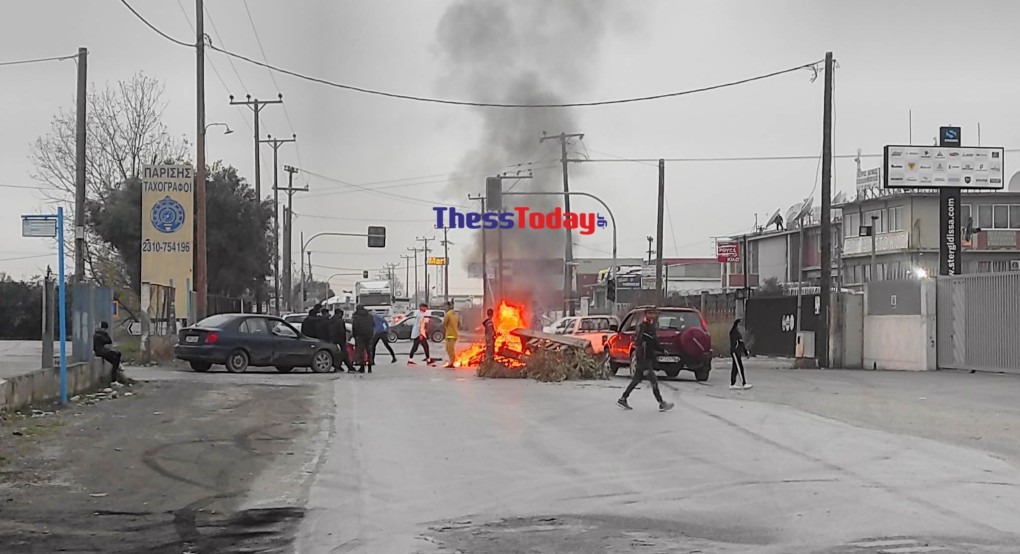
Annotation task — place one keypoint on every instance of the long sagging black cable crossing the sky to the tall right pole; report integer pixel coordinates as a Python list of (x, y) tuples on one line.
[(477, 105)]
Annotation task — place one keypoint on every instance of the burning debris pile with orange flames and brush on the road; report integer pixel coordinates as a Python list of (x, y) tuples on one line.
[(523, 355)]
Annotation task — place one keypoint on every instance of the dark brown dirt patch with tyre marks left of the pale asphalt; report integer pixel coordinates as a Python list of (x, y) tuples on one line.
[(164, 471)]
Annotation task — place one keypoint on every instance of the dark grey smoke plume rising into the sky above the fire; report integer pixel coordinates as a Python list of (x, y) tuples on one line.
[(523, 52)]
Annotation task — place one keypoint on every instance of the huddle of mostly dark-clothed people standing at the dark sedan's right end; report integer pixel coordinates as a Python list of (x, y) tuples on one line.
[(369, 331)]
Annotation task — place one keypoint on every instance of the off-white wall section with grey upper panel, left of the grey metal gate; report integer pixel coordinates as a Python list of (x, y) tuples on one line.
[(900, 341)]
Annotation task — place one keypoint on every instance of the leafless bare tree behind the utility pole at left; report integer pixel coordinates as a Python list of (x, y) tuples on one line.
[(125, 130)]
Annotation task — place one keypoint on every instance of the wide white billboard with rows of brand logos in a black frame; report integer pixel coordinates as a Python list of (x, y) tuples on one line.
[(944, 168)]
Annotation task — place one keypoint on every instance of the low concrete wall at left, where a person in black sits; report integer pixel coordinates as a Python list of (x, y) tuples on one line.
[(44, 385)]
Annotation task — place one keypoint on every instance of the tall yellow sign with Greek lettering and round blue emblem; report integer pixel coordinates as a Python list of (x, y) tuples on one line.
[(169, 230)]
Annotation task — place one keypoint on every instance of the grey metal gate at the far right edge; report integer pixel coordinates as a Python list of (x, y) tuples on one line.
[(978, 317)]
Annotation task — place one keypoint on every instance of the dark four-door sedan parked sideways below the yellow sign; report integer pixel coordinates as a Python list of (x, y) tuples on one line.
[(241, 341)]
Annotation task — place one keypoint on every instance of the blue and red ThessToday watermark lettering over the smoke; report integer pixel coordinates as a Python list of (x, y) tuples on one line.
[(521, 218)]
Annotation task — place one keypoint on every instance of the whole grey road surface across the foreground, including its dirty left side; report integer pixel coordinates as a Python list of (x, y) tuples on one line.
[(428, 461)]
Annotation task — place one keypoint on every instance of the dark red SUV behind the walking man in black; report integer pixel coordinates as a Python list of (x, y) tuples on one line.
[(683, 333)]
